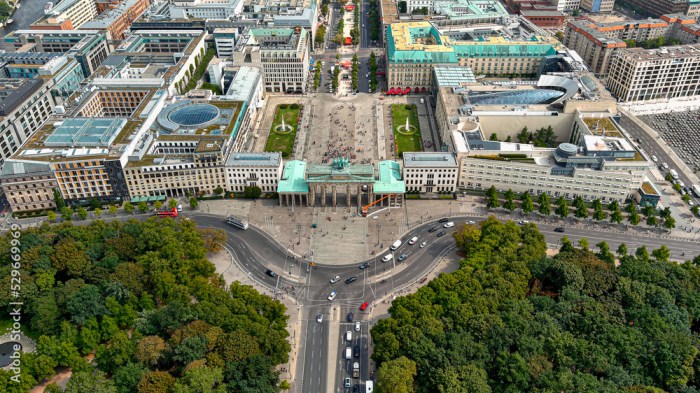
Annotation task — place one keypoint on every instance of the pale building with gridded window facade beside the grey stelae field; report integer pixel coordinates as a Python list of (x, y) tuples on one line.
[(637, 74)]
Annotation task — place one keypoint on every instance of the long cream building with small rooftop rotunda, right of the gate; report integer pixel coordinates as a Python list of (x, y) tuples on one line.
[(591, 164)]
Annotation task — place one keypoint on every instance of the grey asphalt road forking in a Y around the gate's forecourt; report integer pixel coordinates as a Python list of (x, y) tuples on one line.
[(256, 252)]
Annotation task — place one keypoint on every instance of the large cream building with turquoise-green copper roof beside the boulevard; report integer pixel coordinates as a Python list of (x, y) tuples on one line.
[(413, 48)]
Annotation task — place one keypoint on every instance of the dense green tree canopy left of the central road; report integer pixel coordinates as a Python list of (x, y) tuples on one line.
[(143, 298)]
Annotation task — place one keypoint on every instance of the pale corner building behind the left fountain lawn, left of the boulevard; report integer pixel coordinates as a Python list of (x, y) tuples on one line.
[(282, 54)]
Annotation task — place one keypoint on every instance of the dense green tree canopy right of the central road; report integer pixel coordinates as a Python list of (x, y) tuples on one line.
[(514, 320)]
